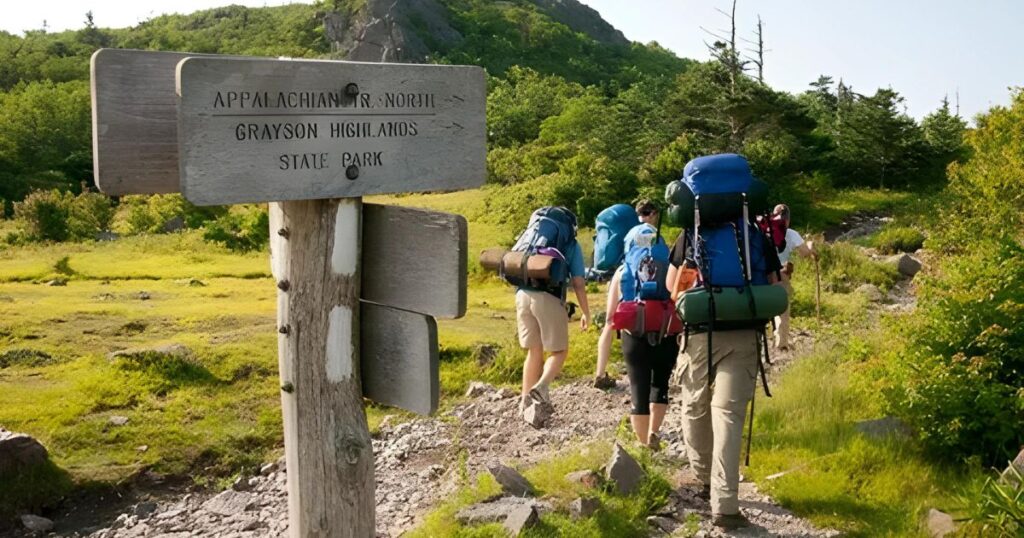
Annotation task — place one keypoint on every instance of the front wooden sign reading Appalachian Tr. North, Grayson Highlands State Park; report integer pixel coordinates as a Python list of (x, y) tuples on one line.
[(258, 131)]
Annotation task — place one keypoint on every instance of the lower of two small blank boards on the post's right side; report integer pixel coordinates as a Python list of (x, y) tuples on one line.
[(399, 352)]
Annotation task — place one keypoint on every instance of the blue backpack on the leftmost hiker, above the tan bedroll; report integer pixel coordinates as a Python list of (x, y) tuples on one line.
[(551, 232)]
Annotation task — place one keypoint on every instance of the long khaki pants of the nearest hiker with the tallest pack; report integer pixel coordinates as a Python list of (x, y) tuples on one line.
[(713, 416)]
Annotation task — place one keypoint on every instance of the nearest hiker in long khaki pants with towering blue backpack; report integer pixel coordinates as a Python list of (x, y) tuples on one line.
[(726, 314)]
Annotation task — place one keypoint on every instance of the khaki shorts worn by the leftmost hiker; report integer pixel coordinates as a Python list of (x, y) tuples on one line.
[(542, 319)]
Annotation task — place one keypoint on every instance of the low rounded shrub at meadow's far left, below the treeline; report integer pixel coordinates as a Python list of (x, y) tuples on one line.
[(54, 216)]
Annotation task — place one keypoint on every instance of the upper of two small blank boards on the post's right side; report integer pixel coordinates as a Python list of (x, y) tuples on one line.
[(415, 260)]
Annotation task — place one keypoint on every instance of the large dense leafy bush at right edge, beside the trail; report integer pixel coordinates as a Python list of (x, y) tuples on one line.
[(959, 382)]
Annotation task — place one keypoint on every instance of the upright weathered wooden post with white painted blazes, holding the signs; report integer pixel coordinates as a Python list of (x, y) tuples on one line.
[(315, 260)]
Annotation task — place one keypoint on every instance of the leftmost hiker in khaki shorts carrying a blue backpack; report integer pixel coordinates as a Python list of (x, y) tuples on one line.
[(542, 319)]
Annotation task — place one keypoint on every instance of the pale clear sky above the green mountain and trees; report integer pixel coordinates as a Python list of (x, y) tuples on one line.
[(925, 50)]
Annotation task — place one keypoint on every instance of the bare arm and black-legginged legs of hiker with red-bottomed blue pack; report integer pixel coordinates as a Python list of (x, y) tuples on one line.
[(650, 367)]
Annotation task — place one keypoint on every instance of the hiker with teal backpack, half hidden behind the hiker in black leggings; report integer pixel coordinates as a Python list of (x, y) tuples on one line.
[(613, 225)]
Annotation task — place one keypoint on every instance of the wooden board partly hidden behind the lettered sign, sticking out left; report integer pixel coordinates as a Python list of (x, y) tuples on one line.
[(136, 121)]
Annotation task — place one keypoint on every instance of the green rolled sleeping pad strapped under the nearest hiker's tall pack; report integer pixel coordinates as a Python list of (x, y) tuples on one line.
[(733, 305)]
